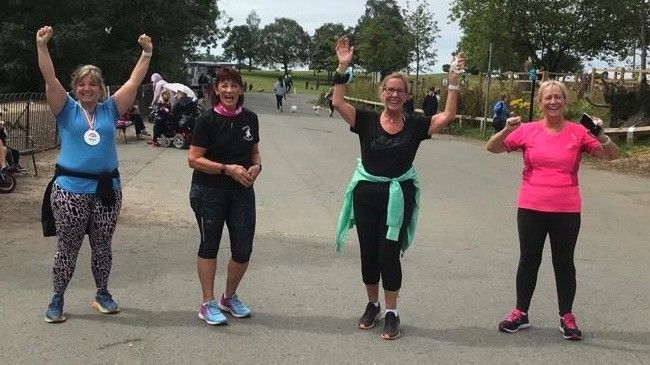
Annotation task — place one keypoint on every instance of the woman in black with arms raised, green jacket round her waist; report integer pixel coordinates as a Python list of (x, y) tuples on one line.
[(389, 141)]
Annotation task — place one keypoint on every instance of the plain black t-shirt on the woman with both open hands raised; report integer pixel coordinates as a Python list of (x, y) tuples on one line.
[(384, 154)]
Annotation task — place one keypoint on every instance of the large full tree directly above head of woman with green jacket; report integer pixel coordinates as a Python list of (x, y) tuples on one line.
[(383, 43)]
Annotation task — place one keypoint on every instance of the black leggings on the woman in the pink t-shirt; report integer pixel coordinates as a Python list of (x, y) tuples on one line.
[(562, 229)]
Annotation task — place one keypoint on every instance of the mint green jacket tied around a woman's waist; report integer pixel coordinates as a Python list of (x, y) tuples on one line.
[(395, 209)]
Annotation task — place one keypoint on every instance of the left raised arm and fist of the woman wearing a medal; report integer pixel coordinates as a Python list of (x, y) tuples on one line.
[(54, 91)]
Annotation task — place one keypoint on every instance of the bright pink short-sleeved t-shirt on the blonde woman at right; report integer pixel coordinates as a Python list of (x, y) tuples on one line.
[(551, 162)]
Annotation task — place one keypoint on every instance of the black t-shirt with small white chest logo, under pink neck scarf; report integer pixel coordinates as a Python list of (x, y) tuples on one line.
[(228, 140)]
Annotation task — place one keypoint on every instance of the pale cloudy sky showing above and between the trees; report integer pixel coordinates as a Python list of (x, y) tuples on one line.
[(311, 14)]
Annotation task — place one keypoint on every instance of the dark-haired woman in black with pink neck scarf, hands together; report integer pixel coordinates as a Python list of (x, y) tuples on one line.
[(226, 160)]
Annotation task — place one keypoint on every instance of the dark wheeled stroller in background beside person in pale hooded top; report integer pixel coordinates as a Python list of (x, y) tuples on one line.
[(178, 132)]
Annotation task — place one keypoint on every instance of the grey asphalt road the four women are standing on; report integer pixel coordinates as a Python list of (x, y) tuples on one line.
[(458, 275)]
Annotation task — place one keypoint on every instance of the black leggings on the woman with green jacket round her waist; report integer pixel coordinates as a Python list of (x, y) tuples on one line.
[(380, 257)]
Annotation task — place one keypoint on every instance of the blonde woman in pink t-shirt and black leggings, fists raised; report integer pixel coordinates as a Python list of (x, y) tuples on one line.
[(549, 199)]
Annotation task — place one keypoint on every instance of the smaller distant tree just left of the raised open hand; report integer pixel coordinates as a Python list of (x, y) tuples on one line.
[(323, 43)]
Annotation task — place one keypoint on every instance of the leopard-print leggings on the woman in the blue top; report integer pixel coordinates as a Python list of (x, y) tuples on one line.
[(76, 214)]
